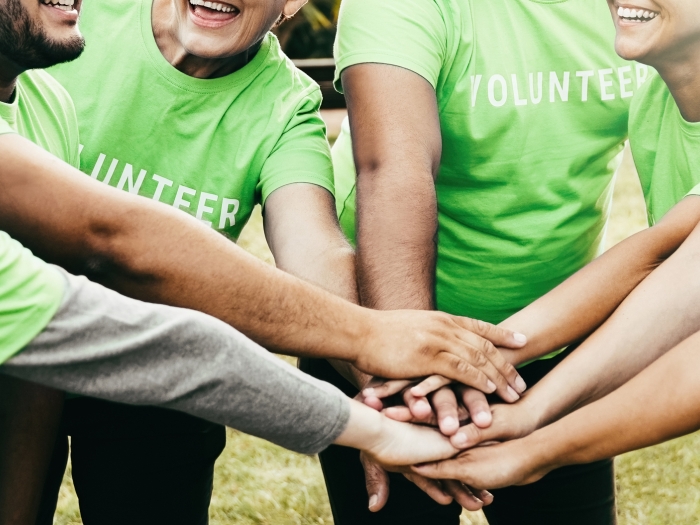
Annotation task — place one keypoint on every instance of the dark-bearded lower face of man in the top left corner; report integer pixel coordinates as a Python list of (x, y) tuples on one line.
[(37, 34)]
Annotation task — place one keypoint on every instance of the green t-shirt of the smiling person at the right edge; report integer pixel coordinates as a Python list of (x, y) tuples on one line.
[(665, 147)]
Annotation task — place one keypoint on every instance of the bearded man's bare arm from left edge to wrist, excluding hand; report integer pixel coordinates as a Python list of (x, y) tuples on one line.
[(152, 252)]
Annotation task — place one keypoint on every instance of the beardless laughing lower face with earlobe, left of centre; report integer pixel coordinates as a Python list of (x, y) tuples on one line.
[(226, 28)]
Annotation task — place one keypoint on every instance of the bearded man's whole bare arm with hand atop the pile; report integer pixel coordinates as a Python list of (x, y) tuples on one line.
[(150, 251)]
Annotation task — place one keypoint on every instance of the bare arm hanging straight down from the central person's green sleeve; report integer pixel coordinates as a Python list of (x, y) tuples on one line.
[(397, 147)]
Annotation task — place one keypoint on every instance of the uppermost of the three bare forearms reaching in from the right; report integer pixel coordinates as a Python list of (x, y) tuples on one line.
[(583, 302)]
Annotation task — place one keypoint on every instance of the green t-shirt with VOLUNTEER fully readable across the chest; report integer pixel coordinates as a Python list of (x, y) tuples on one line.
[(533, 104)]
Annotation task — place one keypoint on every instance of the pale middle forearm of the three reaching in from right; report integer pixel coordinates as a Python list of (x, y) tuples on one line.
[(657, 315)]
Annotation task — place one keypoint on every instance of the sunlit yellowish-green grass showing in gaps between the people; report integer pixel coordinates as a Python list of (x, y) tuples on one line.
[(260, 484)]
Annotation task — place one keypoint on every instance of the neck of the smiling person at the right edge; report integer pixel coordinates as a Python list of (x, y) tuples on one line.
[(683, 80)]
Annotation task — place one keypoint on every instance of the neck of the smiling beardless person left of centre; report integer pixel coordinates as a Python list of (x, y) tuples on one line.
[(164, 25)]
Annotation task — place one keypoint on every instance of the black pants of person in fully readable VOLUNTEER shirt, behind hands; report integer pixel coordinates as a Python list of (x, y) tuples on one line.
[(576, 495)]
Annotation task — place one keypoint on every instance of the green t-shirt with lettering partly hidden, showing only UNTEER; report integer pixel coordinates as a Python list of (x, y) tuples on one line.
[(211, 147)]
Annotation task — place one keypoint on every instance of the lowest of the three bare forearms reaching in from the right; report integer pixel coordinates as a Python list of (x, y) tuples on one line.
[(661, 403)]
